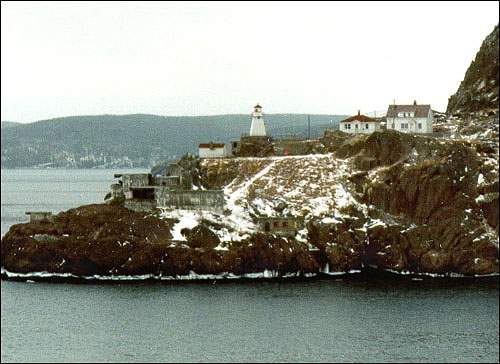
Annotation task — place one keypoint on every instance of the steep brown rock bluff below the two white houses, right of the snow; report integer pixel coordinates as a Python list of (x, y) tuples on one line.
[(432, 186)]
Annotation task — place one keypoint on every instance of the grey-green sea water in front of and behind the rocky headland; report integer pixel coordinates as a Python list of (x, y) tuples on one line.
[(317, 320)]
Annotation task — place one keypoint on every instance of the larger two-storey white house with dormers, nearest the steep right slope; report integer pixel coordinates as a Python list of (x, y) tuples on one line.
[(410, 118)]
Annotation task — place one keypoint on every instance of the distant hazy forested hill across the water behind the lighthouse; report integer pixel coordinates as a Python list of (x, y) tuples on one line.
[(138, 140)]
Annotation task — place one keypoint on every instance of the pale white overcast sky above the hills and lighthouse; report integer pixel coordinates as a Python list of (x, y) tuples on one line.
[(61, 59)]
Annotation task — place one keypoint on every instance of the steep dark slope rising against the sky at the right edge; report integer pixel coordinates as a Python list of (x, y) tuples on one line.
[(479, 88)]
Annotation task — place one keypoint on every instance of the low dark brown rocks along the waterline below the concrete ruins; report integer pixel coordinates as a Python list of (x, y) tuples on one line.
[(110, 240)]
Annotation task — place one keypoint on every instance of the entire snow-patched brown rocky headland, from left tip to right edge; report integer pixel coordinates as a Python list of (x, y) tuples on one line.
[(387, 200)]
